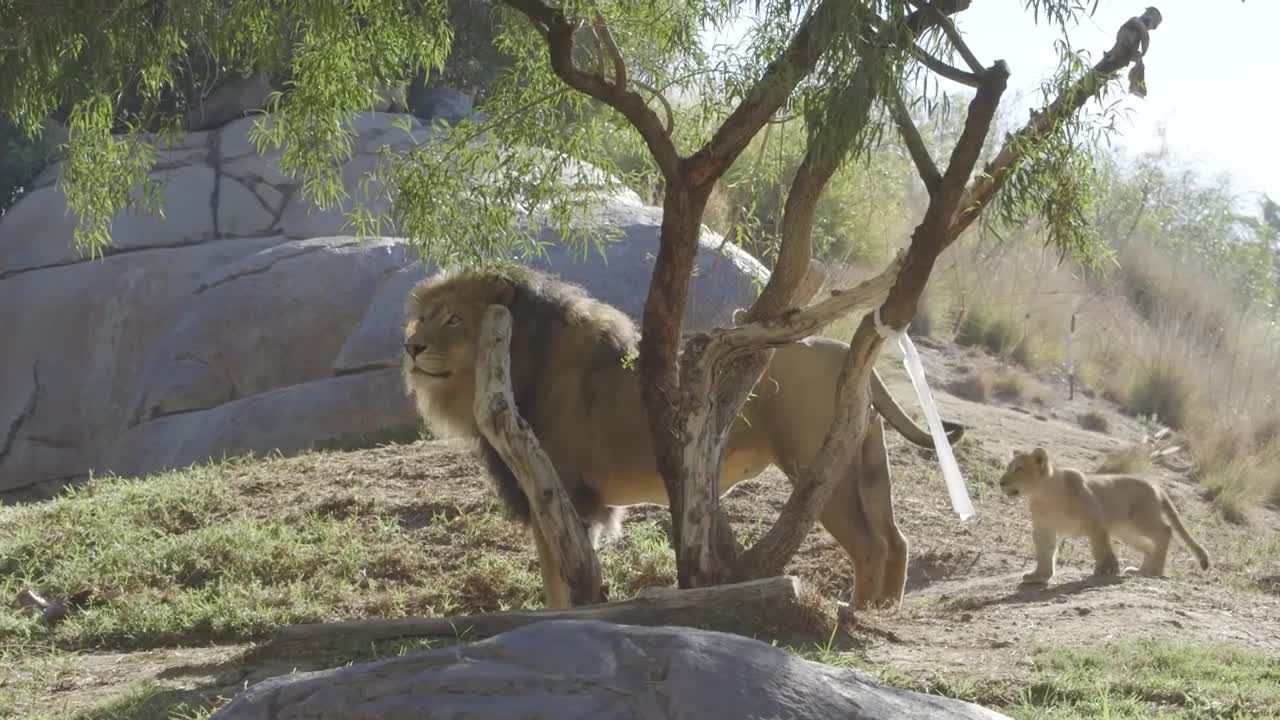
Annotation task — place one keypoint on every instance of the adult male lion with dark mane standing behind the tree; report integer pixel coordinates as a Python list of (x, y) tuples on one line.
[(575, 389)]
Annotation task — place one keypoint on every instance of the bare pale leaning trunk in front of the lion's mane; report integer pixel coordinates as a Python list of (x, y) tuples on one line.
[(572, 573)]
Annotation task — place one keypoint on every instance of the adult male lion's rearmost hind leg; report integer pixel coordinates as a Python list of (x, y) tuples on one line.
[(877, 491)]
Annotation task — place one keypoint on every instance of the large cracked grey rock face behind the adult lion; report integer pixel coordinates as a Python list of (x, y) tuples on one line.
[(243, 321)]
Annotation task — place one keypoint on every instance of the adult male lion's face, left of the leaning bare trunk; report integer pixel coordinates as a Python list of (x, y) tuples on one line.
[(442, 325)]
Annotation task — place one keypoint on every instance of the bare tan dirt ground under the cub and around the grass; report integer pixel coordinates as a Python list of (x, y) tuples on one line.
[(964, 613)]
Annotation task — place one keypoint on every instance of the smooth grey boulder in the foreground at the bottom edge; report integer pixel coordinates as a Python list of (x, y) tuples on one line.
[(591, 671)]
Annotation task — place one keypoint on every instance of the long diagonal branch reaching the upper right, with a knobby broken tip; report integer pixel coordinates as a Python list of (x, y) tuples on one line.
[(1130, 47)]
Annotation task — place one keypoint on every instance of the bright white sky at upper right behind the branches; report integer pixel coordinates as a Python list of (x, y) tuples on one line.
[(1212, 78)]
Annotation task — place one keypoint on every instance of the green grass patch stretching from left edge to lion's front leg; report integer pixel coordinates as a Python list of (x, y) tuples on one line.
[(185, 558)]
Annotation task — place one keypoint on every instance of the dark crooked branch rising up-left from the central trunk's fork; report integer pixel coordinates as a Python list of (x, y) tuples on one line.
[(634, 108)]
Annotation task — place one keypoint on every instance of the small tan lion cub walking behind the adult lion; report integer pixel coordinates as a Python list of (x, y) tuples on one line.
[(1064, 502)]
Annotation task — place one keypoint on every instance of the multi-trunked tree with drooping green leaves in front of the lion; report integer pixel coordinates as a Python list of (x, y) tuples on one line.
[(848, 69)]
